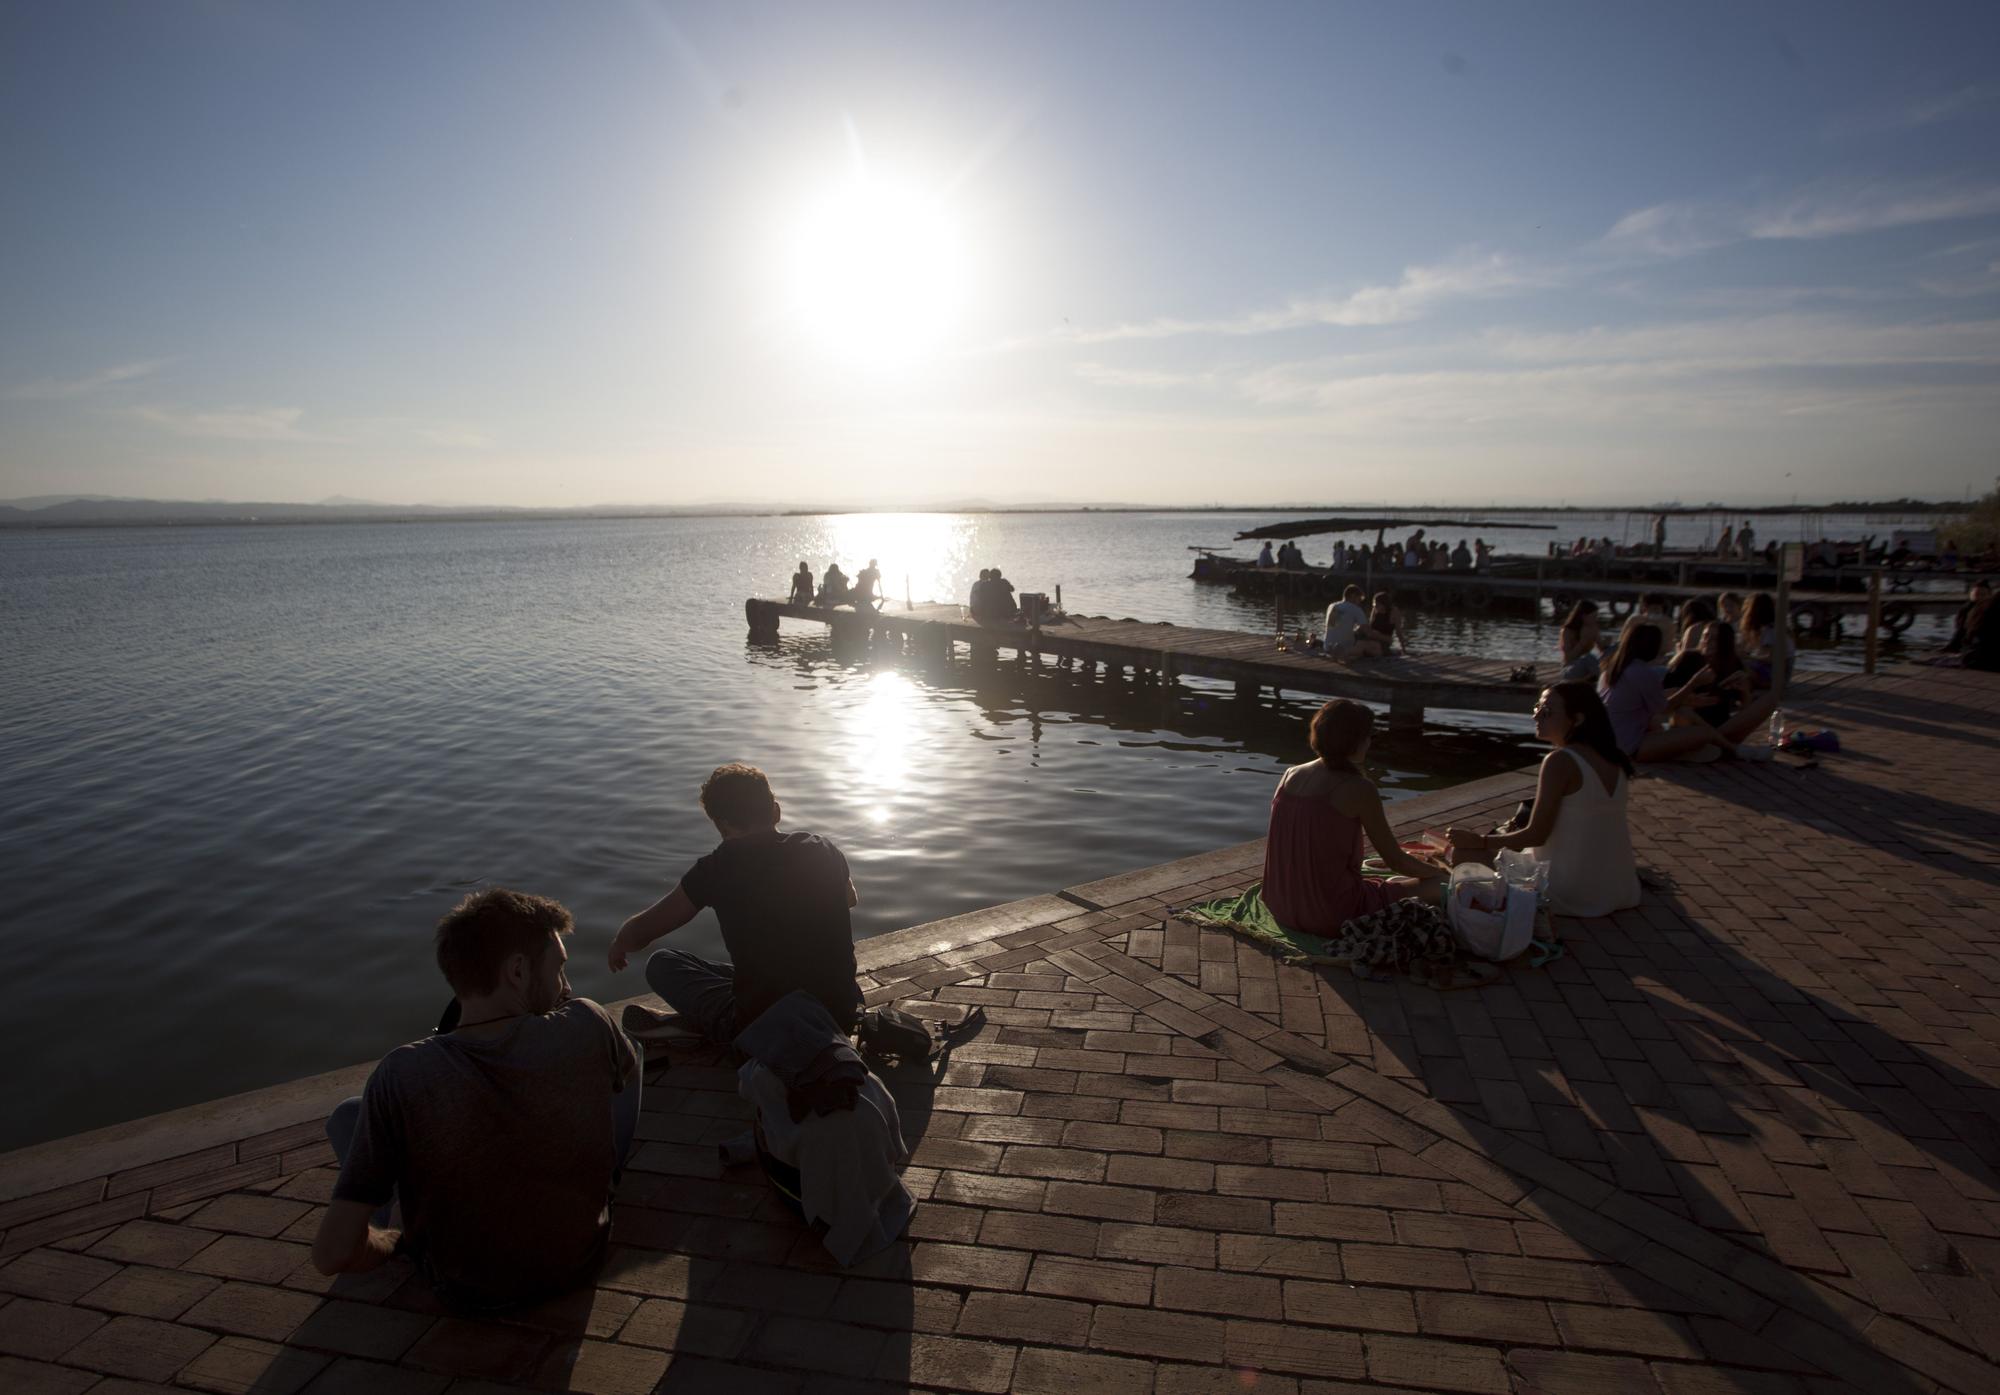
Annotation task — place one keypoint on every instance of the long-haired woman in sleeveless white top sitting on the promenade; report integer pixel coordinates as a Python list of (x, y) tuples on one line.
[(1579, 824)]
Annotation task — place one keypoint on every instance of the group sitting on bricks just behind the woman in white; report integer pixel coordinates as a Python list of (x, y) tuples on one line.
[(1689, 687)]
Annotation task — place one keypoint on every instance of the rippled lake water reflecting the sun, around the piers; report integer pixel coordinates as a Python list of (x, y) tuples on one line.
[(247, 768)]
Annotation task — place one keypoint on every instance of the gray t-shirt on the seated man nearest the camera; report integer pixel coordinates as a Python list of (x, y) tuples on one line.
[(501, 1152)]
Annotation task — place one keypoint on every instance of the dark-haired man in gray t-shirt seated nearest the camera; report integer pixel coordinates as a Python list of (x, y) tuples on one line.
[(501, 1138)]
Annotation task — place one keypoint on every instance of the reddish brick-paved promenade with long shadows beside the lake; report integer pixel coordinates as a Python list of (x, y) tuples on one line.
[(1739, 1140)]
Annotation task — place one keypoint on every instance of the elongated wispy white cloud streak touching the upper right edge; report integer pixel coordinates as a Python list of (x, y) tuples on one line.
[(1833, 209)]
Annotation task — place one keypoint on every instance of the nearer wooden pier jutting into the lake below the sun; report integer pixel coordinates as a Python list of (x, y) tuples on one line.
[(1167, 653)]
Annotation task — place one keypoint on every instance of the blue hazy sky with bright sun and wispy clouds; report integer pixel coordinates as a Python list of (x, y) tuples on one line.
[(871, 255)]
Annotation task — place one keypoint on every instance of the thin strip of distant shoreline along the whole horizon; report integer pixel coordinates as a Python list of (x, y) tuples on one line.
[(99, 513)]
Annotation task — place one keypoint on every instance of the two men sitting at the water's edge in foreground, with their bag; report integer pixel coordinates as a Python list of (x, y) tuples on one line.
[(503, 1134)]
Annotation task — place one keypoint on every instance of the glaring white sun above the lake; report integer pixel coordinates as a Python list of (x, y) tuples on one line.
[(875, 273)]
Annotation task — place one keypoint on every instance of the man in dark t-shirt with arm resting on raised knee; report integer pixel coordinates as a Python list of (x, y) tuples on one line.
[(783, 902)]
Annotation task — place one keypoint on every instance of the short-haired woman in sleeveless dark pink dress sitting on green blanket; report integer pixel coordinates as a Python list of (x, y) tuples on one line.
[(1313, 854)]
